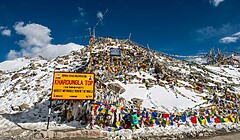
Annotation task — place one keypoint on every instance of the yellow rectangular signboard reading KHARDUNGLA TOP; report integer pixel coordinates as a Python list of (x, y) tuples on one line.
[(72, 86)]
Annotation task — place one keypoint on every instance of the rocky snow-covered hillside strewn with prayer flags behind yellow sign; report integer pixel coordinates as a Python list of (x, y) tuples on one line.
[(140, 79)]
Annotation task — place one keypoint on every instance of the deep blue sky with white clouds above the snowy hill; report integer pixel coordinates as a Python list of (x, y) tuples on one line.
[(185, 27)]
